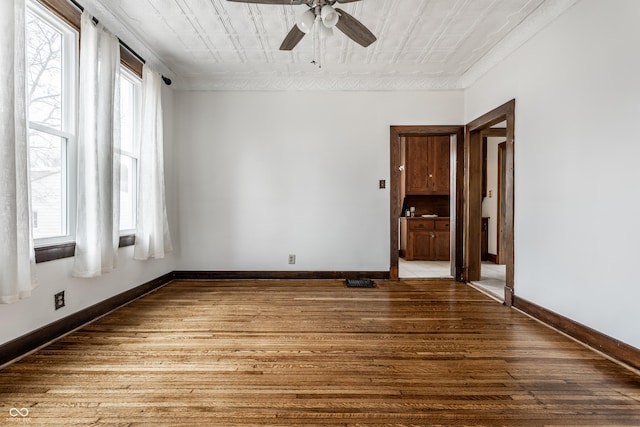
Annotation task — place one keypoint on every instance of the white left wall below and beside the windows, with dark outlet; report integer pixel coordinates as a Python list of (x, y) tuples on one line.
[(32, 313)]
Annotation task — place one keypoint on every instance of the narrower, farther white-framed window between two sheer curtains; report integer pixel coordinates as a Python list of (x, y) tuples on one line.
[(130, 114)]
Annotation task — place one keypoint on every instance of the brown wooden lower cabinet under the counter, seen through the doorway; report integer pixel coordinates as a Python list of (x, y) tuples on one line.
[(424, 239)]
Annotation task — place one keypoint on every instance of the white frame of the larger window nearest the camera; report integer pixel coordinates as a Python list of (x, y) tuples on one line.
[(68, 121)]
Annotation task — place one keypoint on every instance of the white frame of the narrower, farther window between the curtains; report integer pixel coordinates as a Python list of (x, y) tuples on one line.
[(133, 78)]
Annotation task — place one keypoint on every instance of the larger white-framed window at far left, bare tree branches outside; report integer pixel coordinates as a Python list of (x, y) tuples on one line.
[(51, 75)]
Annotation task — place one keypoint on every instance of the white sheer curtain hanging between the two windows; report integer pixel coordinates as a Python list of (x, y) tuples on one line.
[(98, 191)]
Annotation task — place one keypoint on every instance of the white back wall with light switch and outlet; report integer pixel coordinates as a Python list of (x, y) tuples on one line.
[(266, 174)]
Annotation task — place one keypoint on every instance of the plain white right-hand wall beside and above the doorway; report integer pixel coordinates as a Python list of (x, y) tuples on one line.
[(577, 205)]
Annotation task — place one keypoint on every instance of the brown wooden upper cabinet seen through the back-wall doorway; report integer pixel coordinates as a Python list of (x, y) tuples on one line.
[(427, 165)]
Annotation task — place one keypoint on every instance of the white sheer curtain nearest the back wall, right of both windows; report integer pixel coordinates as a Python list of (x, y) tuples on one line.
[(152, 229)]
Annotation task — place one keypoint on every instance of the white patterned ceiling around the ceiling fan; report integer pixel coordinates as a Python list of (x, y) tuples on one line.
[(422, 44)]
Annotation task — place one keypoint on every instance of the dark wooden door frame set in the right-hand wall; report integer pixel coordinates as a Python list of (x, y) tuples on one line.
[(473, 194)]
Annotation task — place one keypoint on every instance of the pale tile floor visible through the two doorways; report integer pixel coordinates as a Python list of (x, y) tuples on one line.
[(491, 280)]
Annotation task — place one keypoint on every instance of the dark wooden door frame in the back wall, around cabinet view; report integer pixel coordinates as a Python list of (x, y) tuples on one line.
[(456, 133)]
